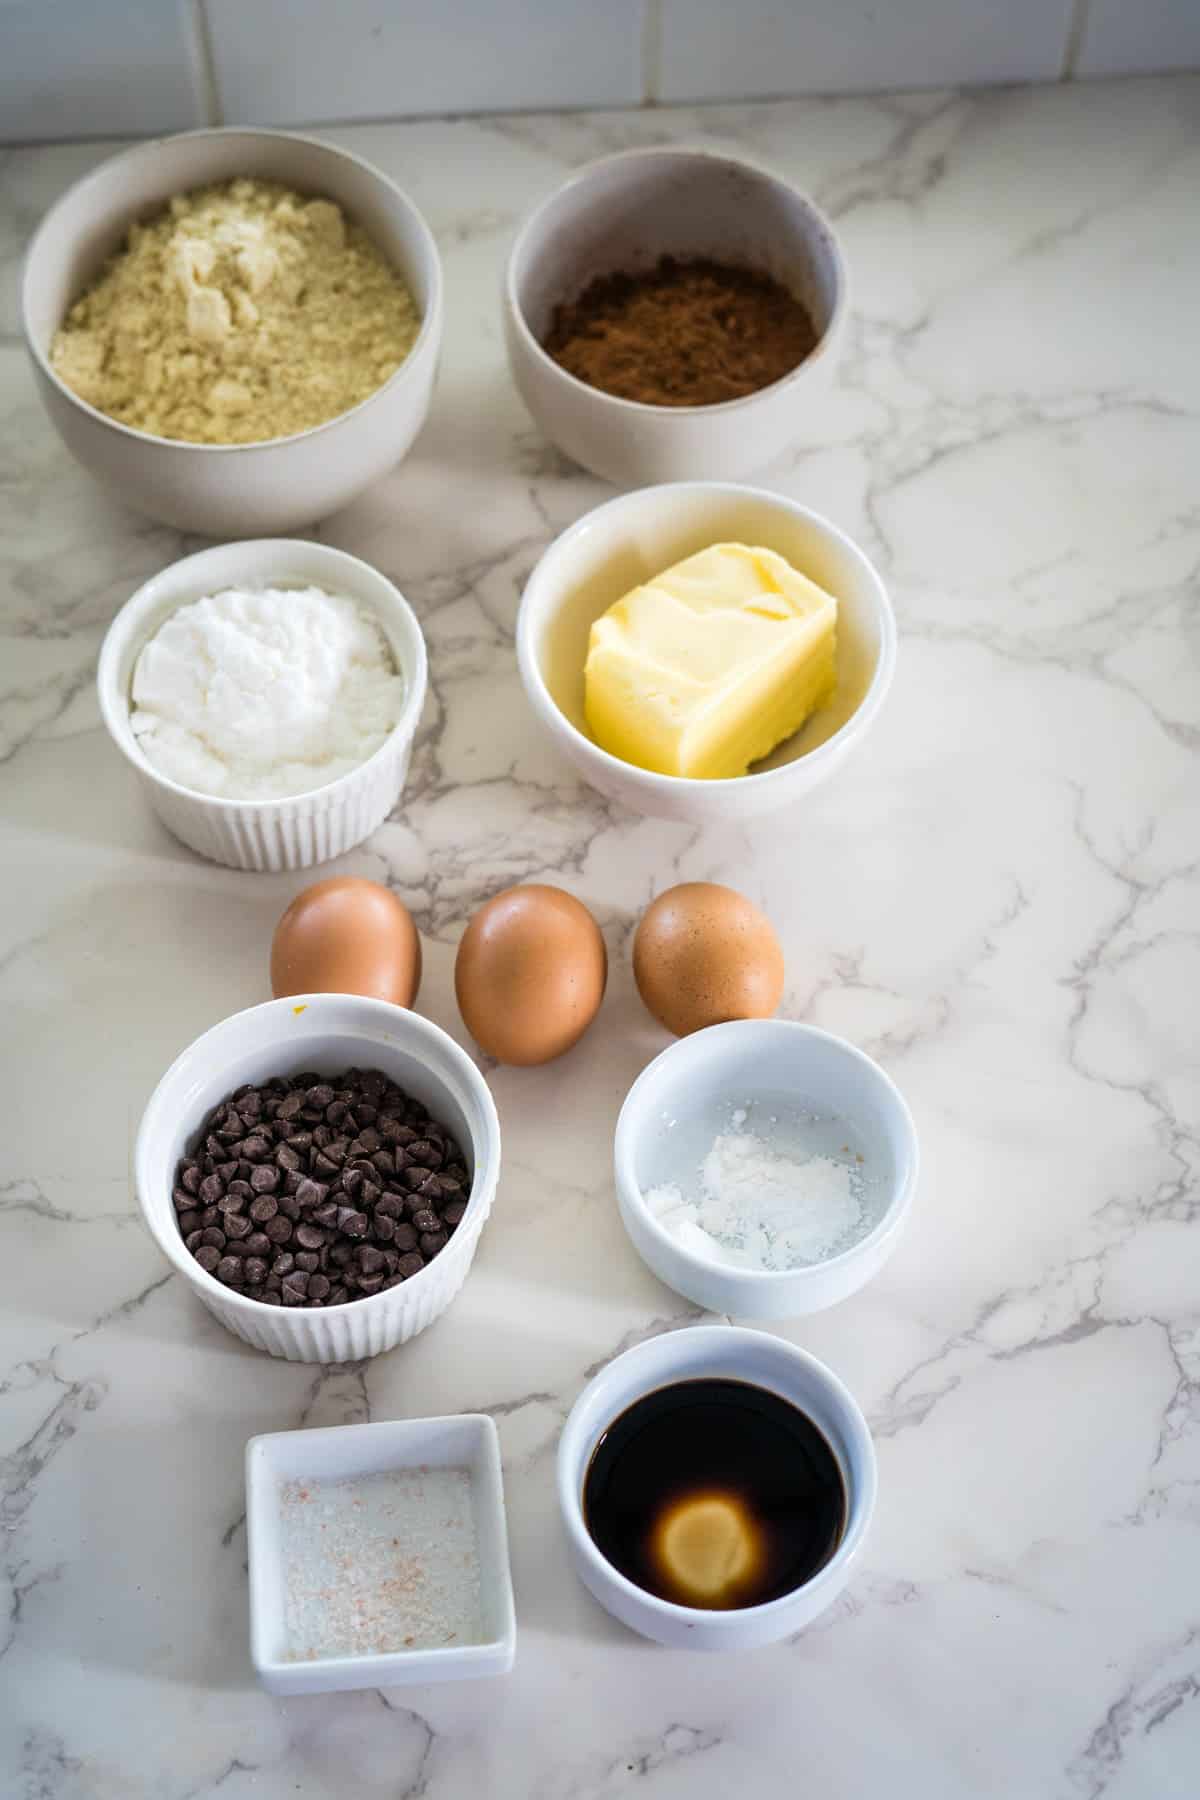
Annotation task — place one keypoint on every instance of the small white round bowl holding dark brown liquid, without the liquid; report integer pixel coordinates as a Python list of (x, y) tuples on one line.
[(717, 1351)]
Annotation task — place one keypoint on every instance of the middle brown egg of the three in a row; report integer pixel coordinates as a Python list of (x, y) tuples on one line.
[(530, 975)]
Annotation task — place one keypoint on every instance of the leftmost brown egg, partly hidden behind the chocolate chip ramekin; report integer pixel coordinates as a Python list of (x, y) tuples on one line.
[(348, 937)]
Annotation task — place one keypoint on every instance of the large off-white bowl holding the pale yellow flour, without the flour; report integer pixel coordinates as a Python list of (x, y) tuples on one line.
[(231, 490)]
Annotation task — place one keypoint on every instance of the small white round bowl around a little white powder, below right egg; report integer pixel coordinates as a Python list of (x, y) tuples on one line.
[(769, 1059)]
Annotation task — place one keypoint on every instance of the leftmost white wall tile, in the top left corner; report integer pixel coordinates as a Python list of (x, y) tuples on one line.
[(96, 69)]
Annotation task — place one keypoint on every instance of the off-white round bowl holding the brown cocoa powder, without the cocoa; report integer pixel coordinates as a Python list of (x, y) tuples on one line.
[(623, 213)]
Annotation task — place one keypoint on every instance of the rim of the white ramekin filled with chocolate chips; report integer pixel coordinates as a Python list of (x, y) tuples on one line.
[(197, 1052)]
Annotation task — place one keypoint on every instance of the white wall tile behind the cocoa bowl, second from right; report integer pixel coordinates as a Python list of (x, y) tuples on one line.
[(744, 49)]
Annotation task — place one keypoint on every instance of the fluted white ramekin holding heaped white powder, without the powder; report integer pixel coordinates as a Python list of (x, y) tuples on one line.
[(303, 829)]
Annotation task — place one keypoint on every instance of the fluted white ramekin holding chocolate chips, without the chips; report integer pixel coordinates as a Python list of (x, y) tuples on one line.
[(327, 1034)]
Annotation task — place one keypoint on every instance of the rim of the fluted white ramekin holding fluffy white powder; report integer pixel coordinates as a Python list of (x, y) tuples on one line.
[(112, 701)]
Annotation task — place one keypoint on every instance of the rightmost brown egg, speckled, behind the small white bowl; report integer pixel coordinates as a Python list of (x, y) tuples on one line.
[(704, 955)]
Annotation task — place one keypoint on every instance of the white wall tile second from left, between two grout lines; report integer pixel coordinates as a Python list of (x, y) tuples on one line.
[(282, 62)]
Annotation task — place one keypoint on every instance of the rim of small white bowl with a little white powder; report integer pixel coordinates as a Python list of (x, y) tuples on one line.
[(900, 1200)]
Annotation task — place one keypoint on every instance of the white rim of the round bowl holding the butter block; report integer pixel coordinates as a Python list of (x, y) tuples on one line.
[(654, 780)]
